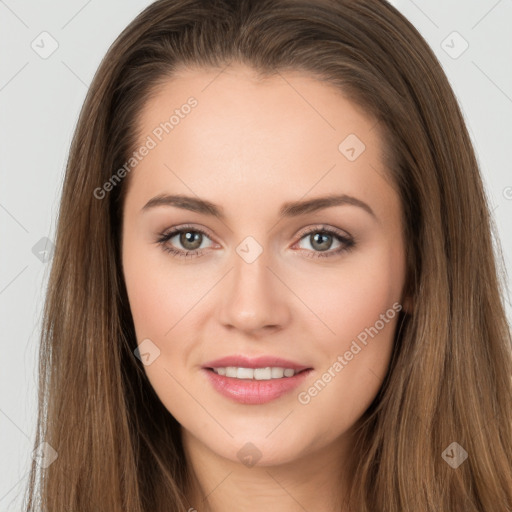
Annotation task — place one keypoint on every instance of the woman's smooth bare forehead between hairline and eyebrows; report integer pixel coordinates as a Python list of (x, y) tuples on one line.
[(284, 134)]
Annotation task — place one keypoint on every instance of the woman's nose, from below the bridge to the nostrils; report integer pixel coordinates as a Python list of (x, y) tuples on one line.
[(254, 298)]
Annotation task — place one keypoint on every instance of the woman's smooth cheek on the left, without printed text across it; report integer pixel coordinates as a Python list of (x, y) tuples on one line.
[(163, 302)]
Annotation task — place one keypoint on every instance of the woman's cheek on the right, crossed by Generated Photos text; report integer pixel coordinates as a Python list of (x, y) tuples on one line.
[(360, 305)]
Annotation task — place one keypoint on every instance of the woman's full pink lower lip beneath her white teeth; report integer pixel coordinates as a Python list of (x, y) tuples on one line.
[(253, 392)]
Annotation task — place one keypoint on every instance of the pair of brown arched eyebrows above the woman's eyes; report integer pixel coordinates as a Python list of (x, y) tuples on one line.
[(289, 209)]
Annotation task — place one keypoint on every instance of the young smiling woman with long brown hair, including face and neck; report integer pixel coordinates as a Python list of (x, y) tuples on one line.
[(274, 285)]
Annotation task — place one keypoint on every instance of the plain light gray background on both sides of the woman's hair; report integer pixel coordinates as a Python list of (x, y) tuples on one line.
[(40, 99)]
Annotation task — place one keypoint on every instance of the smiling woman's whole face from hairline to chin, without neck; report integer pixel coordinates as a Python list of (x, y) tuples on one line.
[(267, 271)]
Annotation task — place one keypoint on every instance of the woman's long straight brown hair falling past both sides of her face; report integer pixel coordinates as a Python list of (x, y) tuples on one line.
[(449, 381)]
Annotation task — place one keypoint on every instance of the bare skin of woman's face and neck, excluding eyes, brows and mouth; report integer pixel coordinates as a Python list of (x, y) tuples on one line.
[(249, 146)]
